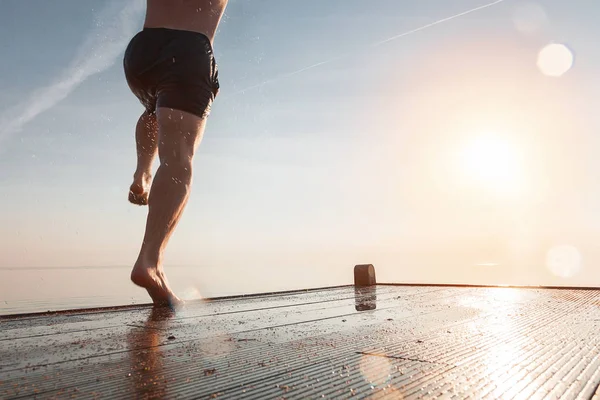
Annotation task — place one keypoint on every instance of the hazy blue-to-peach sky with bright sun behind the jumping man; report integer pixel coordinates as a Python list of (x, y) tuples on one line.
[(439, 148)]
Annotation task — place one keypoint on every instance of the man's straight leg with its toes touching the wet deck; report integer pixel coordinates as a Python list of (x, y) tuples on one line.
[(179, 134)]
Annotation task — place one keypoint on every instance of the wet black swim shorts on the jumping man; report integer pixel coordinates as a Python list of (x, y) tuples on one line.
[(172, 68)]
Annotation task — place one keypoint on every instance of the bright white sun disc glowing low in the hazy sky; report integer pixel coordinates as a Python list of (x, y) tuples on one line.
[(491, 162)]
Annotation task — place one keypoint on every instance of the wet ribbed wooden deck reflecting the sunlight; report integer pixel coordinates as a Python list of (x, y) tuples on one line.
[(379, 342)]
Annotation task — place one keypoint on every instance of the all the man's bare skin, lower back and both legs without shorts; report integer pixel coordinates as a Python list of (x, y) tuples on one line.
[(174, 135)]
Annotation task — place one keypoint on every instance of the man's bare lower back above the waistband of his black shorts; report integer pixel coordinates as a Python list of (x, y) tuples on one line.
[(191, 15)]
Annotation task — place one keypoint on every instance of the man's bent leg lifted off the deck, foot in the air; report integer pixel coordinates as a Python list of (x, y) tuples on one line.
[(146, 132)]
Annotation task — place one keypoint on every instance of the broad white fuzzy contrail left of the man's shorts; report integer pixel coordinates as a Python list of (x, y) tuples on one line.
[(113, 28)]
